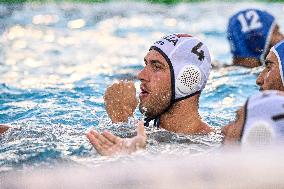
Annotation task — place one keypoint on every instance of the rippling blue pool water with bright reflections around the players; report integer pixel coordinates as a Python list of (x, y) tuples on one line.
[(57, 59)]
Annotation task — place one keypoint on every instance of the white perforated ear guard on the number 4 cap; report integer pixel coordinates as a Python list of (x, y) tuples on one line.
[(188, 80)]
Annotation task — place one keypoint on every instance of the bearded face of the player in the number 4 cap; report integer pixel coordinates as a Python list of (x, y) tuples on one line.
[(155, 85)]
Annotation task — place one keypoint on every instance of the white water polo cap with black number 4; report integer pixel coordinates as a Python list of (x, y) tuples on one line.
[(189, 61)]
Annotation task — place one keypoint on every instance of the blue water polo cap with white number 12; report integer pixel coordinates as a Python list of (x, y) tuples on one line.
[(249, 33)]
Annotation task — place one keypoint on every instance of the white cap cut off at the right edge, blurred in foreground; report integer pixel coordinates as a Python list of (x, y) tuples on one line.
[(264, 118)]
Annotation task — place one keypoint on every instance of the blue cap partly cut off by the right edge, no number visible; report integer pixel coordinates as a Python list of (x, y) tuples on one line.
[(278, 50)]
